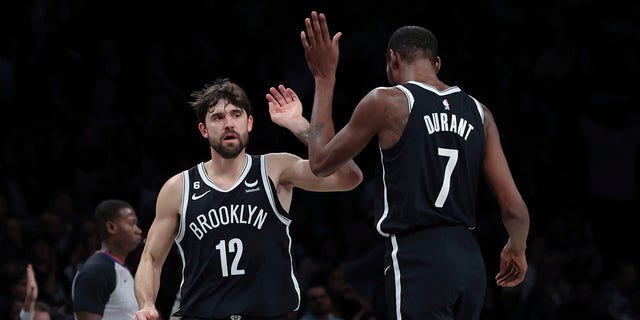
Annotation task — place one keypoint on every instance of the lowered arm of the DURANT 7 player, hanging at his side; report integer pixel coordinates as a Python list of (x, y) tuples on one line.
[(515, 215)]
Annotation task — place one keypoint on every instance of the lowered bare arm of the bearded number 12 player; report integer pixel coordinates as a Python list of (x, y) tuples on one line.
[(159, 240)]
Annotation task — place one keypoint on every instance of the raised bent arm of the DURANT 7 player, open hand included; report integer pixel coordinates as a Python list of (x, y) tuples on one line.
[(328, 150)]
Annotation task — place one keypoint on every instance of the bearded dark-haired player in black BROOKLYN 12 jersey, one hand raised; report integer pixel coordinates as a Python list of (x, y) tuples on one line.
[(229, 215)]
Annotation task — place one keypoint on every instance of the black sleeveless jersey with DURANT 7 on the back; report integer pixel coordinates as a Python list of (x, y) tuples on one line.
[(430, 176)]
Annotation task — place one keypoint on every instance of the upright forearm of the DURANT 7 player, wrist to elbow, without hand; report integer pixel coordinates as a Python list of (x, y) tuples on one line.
[(321, 127)]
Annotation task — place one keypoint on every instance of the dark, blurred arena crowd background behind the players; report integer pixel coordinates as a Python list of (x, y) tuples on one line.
[(94, 99)]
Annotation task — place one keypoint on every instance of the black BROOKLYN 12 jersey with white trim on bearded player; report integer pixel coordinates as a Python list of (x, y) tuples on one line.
[(235, 247)]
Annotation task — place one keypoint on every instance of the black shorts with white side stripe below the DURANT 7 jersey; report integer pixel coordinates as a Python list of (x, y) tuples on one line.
[(436, 273)]
